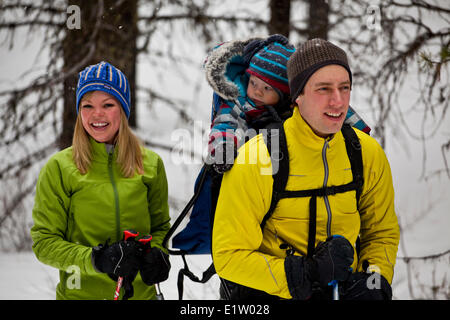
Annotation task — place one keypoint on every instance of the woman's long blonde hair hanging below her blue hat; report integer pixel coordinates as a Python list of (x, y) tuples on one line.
[(129, 156)]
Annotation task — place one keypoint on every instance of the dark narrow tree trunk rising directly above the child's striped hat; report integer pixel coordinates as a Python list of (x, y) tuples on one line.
[(280, 12)]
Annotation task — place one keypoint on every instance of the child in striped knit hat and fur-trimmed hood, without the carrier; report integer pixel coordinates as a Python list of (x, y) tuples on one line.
[(251, 89)]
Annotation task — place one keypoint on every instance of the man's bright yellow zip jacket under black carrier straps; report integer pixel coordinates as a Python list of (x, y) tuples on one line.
[(242, 253)]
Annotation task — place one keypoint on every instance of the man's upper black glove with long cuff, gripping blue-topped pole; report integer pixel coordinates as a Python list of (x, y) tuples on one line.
[(331, 261)]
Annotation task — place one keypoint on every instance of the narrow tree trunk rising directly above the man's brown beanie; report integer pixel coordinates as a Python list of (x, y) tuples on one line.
[(318, 19)]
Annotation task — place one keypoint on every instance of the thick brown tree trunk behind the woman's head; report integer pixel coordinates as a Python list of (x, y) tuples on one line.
[(111, 31)]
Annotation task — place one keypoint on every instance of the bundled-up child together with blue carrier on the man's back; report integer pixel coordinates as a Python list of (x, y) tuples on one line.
[(249, 79)]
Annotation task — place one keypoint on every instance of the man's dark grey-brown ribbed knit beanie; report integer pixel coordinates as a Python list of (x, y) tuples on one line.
[(308, 58)]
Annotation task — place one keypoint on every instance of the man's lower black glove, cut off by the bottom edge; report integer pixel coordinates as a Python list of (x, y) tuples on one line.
[(366, 286)]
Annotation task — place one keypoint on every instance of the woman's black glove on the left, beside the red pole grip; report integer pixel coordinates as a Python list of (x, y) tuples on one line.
[(121, 259)]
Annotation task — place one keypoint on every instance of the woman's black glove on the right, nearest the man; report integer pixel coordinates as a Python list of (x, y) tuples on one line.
[(155, 266)]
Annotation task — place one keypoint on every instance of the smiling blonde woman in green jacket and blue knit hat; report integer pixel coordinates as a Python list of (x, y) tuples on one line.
[(91, 192)]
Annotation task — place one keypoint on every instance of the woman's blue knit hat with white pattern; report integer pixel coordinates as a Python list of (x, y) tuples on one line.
[(103, 76)]
